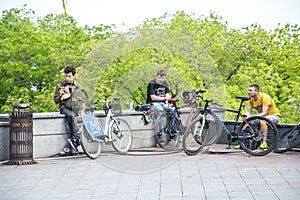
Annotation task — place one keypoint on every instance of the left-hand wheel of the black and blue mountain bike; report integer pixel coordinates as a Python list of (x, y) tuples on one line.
[(194, 137)]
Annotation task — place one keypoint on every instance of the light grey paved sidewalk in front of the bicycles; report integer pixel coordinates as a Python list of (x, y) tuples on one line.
[(154, 174)]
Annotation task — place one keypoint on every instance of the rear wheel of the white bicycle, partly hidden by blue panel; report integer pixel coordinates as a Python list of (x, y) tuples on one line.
[(91, 146)]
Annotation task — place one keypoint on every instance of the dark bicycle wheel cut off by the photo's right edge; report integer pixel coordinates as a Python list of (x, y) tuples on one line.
[(288, 140)]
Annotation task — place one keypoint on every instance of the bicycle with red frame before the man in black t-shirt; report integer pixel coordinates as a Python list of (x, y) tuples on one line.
[(168, 126)]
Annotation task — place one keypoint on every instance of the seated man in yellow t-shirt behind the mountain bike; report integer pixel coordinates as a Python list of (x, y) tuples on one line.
[(265, 107)]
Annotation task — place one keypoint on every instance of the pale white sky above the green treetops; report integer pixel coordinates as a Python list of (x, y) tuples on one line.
[(238, 13)]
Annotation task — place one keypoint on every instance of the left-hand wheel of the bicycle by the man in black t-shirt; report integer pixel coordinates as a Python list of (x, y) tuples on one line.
[(165, 129)]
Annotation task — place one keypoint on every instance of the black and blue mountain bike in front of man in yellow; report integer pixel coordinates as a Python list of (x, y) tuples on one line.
[(248, 132)]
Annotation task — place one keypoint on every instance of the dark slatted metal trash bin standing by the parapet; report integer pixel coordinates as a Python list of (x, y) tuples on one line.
[(21, 135)]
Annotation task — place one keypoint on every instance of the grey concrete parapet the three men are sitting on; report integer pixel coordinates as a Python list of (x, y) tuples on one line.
[(50, 132)]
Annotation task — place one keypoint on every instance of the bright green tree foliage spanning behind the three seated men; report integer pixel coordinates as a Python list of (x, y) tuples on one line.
[(198, 52)]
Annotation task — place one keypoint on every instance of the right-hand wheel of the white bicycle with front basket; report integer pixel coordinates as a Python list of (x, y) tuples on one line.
[(121, 135)]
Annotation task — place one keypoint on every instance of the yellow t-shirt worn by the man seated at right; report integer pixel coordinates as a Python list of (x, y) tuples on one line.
[(264, 100)]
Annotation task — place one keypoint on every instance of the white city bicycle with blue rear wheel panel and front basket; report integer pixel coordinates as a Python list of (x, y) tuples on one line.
[(116, 132)]
